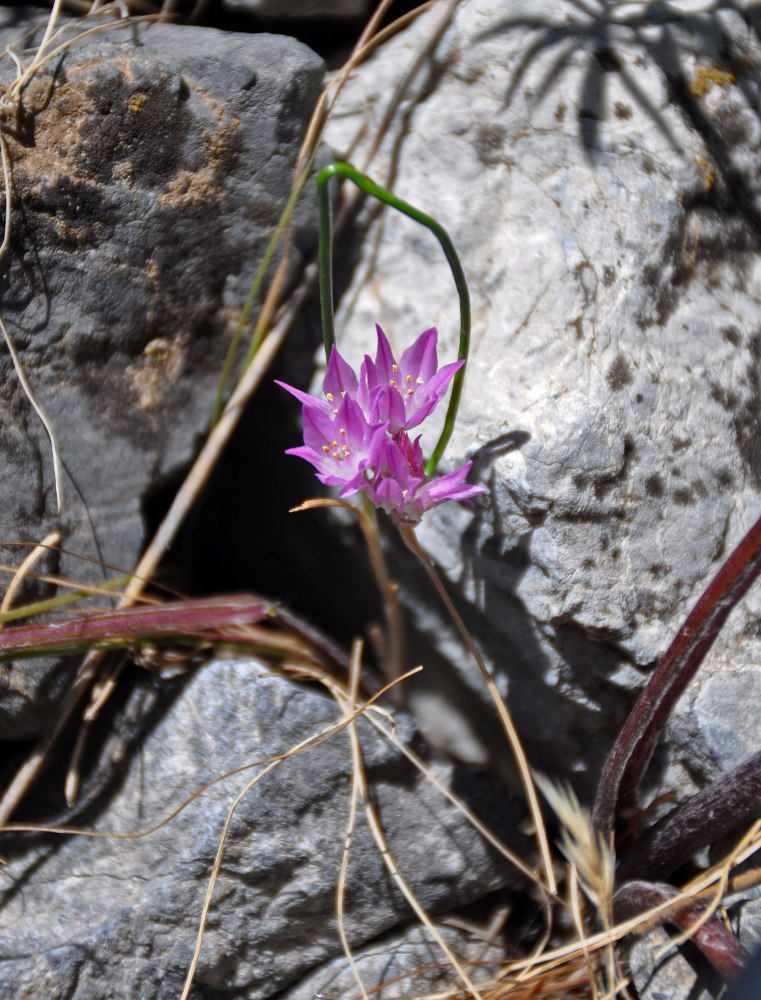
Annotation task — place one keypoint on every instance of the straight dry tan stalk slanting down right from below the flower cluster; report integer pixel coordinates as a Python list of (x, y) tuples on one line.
[(519, 755)]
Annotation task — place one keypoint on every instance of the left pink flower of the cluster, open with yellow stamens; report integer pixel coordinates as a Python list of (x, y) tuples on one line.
[(340, 445)]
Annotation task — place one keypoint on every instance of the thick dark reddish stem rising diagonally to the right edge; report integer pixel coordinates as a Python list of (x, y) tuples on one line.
[(631, 753)]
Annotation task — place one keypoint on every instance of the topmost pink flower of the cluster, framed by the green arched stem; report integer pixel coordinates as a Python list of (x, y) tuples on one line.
[(404, 392)]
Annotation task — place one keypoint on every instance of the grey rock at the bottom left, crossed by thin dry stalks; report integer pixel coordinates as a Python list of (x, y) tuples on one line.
[(86, 918)]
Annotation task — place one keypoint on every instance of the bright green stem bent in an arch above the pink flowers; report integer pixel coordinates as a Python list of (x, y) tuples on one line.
[(326, 278)]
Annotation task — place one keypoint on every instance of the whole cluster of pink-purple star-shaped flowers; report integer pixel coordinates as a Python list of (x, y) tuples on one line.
[(357, 438)]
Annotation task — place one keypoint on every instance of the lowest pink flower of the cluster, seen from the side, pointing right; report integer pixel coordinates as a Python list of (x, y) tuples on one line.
[(403, 490)]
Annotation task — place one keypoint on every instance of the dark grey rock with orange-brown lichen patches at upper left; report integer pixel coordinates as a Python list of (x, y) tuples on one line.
[(149, 169)]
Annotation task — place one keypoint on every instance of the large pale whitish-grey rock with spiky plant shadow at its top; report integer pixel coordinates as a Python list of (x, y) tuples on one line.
[(593, 166)]
